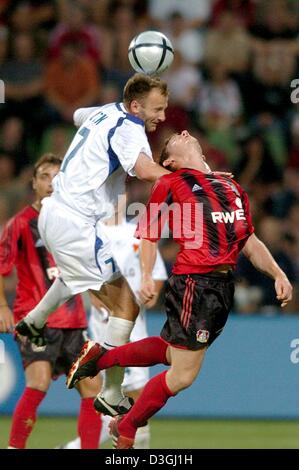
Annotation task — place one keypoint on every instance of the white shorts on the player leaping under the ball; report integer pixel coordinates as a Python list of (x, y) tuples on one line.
[(81, 250)]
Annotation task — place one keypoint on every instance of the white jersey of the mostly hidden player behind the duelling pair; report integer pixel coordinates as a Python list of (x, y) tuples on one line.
[(125, 250)]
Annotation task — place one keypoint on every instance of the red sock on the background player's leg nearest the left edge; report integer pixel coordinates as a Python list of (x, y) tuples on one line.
[(24, 417)]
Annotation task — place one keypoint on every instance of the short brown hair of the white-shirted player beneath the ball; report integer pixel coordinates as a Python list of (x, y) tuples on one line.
[(140, 85)]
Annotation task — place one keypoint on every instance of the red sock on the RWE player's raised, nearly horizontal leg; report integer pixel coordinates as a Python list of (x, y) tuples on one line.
[(146, 352)]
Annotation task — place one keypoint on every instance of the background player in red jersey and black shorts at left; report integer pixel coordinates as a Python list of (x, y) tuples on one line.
[(21, 246)]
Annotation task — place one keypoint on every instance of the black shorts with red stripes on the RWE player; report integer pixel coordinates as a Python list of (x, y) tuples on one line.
[(197, 307)]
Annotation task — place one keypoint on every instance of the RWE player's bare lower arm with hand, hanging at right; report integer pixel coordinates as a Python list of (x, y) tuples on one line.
[(261, 258)]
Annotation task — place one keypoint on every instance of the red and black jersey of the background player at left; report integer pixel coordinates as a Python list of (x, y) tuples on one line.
[(21, 246)]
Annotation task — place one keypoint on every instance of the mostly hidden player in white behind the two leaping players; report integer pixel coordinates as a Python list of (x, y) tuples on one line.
[(125, 249)]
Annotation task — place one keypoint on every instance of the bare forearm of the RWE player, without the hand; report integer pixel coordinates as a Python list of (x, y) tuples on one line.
[(261, 258)]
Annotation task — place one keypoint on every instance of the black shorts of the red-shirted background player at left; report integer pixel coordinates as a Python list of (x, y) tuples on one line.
[(61, 350)]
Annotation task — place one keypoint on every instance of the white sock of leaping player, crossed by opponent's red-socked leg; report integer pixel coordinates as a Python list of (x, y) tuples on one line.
[(117, 333)]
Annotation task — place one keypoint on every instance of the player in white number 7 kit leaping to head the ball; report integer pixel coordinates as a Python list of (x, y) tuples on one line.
[(110, 143)]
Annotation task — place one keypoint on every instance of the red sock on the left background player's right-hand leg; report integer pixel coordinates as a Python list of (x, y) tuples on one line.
[(89, 425)]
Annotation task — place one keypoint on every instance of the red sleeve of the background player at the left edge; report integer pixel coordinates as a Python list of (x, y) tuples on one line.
[(9, 246)]
